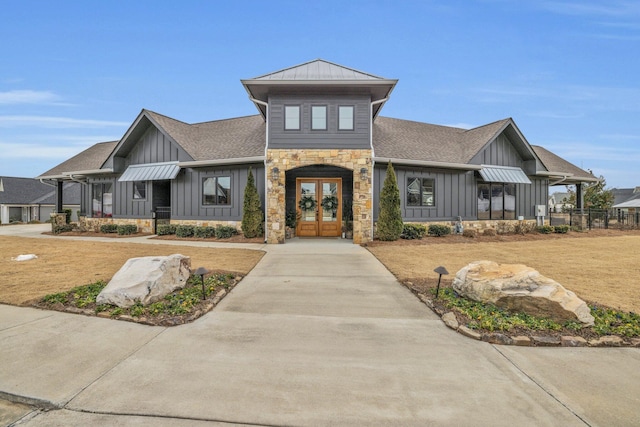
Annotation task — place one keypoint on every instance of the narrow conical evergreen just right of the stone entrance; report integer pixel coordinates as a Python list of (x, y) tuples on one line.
[(389, 226)]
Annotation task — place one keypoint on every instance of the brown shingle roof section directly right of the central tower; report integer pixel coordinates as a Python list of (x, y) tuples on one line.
[(404, 139)]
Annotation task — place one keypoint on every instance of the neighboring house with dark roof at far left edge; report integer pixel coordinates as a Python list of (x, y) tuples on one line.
[(27, 199)]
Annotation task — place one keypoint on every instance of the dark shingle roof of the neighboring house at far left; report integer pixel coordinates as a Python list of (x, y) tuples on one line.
[(27, 191)]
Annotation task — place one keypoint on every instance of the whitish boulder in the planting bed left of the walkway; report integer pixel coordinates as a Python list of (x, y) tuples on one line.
[(146, 280)]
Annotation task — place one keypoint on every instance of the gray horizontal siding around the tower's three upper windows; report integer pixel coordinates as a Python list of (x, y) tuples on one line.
[(330, 138)]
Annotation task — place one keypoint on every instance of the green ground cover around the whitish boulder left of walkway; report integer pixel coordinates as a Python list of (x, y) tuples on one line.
[(180, 302)]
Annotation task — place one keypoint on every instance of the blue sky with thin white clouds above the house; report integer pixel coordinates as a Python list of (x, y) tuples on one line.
[(568, 72)]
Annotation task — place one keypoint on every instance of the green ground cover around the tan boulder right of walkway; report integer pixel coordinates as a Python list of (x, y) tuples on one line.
[(490, 318)]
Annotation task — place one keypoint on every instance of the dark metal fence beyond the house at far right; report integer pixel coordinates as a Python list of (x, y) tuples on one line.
[(596, 219)]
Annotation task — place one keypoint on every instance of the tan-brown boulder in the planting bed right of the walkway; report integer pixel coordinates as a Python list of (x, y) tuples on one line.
[(519, 288)]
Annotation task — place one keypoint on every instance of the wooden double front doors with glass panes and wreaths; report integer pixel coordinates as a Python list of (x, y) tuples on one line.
[(319, 206)]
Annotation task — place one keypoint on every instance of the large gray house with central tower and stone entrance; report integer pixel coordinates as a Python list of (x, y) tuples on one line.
[(318, 145)]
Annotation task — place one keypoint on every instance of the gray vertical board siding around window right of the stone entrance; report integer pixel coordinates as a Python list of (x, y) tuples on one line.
[(455, 194)]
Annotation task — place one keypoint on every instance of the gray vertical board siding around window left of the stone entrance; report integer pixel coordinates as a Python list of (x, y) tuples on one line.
[(186, 192)]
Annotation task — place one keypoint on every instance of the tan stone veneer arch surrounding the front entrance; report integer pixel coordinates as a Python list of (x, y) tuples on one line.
[(285, 160)]
